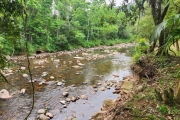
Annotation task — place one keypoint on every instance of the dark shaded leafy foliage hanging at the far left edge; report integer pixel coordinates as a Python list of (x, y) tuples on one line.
[(10, 13)]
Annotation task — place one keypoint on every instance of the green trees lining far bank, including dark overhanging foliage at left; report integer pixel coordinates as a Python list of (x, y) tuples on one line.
[(60, 25)]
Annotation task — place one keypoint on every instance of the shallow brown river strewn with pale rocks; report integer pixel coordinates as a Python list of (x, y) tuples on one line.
[(76, 72)]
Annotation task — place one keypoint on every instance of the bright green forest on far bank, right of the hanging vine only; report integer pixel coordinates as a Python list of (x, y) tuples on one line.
[(72, 28)]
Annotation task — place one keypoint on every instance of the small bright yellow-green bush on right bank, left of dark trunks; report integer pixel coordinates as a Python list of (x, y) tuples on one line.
[(141, 48)]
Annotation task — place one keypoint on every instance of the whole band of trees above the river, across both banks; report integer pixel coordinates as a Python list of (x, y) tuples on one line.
[(67, 24)]
